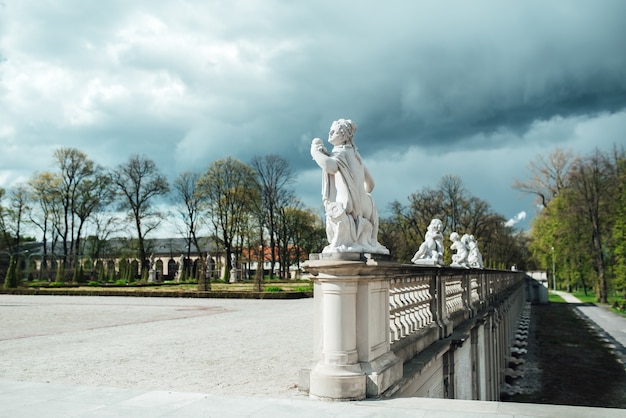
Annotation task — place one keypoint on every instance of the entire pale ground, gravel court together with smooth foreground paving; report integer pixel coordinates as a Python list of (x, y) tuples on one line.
[(150, 357)]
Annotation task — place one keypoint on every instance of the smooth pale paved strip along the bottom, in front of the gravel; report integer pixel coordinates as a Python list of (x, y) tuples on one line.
[(30, 400)]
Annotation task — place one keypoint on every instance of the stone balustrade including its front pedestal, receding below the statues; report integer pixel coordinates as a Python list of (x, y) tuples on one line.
[(373, 316)]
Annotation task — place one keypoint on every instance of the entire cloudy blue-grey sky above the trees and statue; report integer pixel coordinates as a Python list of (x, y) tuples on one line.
[(475, 89)]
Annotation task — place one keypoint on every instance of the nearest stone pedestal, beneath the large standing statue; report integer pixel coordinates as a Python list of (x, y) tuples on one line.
[(352, 329)]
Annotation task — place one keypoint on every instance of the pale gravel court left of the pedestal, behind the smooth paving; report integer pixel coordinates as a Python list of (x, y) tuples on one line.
[(217, 346)]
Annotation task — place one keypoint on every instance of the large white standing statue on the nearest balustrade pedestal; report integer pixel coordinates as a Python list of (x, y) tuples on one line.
[(351, 216)]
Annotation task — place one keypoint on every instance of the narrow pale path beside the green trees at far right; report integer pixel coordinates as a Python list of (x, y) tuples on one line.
[(610, 326)]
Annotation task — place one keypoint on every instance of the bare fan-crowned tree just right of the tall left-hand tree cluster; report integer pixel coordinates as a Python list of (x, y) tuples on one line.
[(139, 182)]
